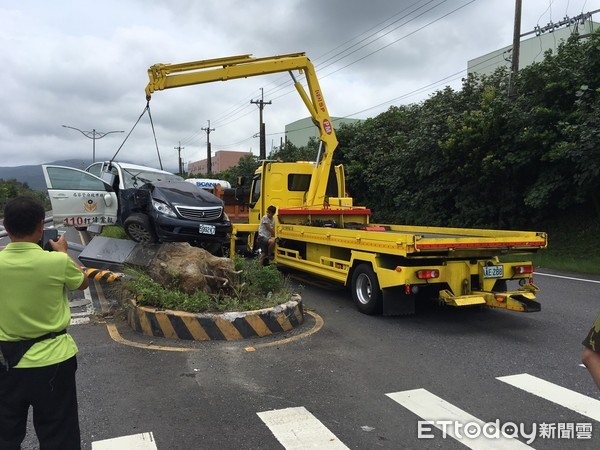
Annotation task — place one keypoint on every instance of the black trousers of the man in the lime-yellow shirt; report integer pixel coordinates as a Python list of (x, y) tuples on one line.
[(51, 391)]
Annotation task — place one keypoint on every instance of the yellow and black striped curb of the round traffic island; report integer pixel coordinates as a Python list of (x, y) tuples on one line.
[(229, 326)]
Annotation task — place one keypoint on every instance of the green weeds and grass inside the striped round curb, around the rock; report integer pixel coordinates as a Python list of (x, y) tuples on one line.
[(256, 288)]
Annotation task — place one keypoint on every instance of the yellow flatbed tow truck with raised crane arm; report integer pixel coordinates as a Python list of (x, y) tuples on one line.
[(321, 232)]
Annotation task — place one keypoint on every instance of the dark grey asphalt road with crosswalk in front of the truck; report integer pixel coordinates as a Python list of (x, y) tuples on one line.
[(359, 382)]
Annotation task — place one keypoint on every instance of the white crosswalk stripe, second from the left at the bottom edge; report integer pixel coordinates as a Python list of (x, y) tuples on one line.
[(296, 428)]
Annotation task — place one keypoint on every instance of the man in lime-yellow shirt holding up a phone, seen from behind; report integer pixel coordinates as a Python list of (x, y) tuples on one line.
[(37, 358)]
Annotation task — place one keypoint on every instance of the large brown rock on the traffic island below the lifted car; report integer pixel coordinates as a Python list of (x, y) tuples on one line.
[(191, 269)]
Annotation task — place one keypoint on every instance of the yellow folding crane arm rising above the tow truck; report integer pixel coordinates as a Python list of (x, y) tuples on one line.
[(166, 76)]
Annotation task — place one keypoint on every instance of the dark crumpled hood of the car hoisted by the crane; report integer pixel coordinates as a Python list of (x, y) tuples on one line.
[(182, 193)]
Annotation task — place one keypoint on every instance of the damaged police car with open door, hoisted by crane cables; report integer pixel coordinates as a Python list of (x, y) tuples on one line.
[(152, 205)]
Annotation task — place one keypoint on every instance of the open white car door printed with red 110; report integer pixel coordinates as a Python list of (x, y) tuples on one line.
[(79, 198)]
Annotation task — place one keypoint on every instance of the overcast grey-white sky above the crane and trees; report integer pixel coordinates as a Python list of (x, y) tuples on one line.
[(84, 64)]
